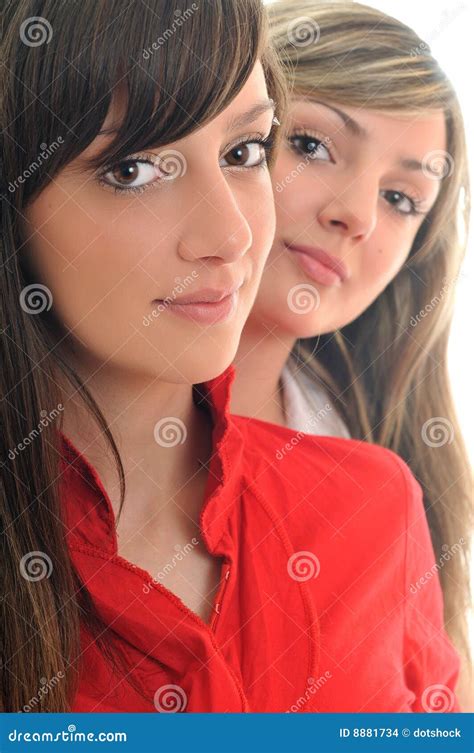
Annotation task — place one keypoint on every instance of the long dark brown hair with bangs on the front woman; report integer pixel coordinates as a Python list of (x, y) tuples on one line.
[(63, 62)]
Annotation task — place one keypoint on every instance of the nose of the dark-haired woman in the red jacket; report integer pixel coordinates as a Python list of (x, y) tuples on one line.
[(213, 228)]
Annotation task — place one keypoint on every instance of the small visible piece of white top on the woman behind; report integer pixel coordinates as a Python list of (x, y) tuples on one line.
[(308, 407)]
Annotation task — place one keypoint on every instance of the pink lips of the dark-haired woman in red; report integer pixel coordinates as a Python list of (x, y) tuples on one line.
[(206, 306)]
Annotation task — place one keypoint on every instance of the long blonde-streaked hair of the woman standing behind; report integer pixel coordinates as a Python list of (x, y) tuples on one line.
[(387, 370)]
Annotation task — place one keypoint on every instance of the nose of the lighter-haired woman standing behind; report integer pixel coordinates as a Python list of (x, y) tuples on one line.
[(353, 212)]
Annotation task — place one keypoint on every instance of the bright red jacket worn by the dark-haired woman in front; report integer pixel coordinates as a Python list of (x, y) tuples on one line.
[(329, 599)]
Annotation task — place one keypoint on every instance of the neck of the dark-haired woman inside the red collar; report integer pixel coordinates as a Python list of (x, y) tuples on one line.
[(157, 464)]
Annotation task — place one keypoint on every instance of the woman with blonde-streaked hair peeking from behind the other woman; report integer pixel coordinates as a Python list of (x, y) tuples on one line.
[(348, 336)]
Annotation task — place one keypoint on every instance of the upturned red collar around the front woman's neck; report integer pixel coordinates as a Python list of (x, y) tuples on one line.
[(89, 515)]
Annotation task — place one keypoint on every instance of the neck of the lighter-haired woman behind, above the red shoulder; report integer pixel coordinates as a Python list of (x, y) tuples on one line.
[(256, 391)]
